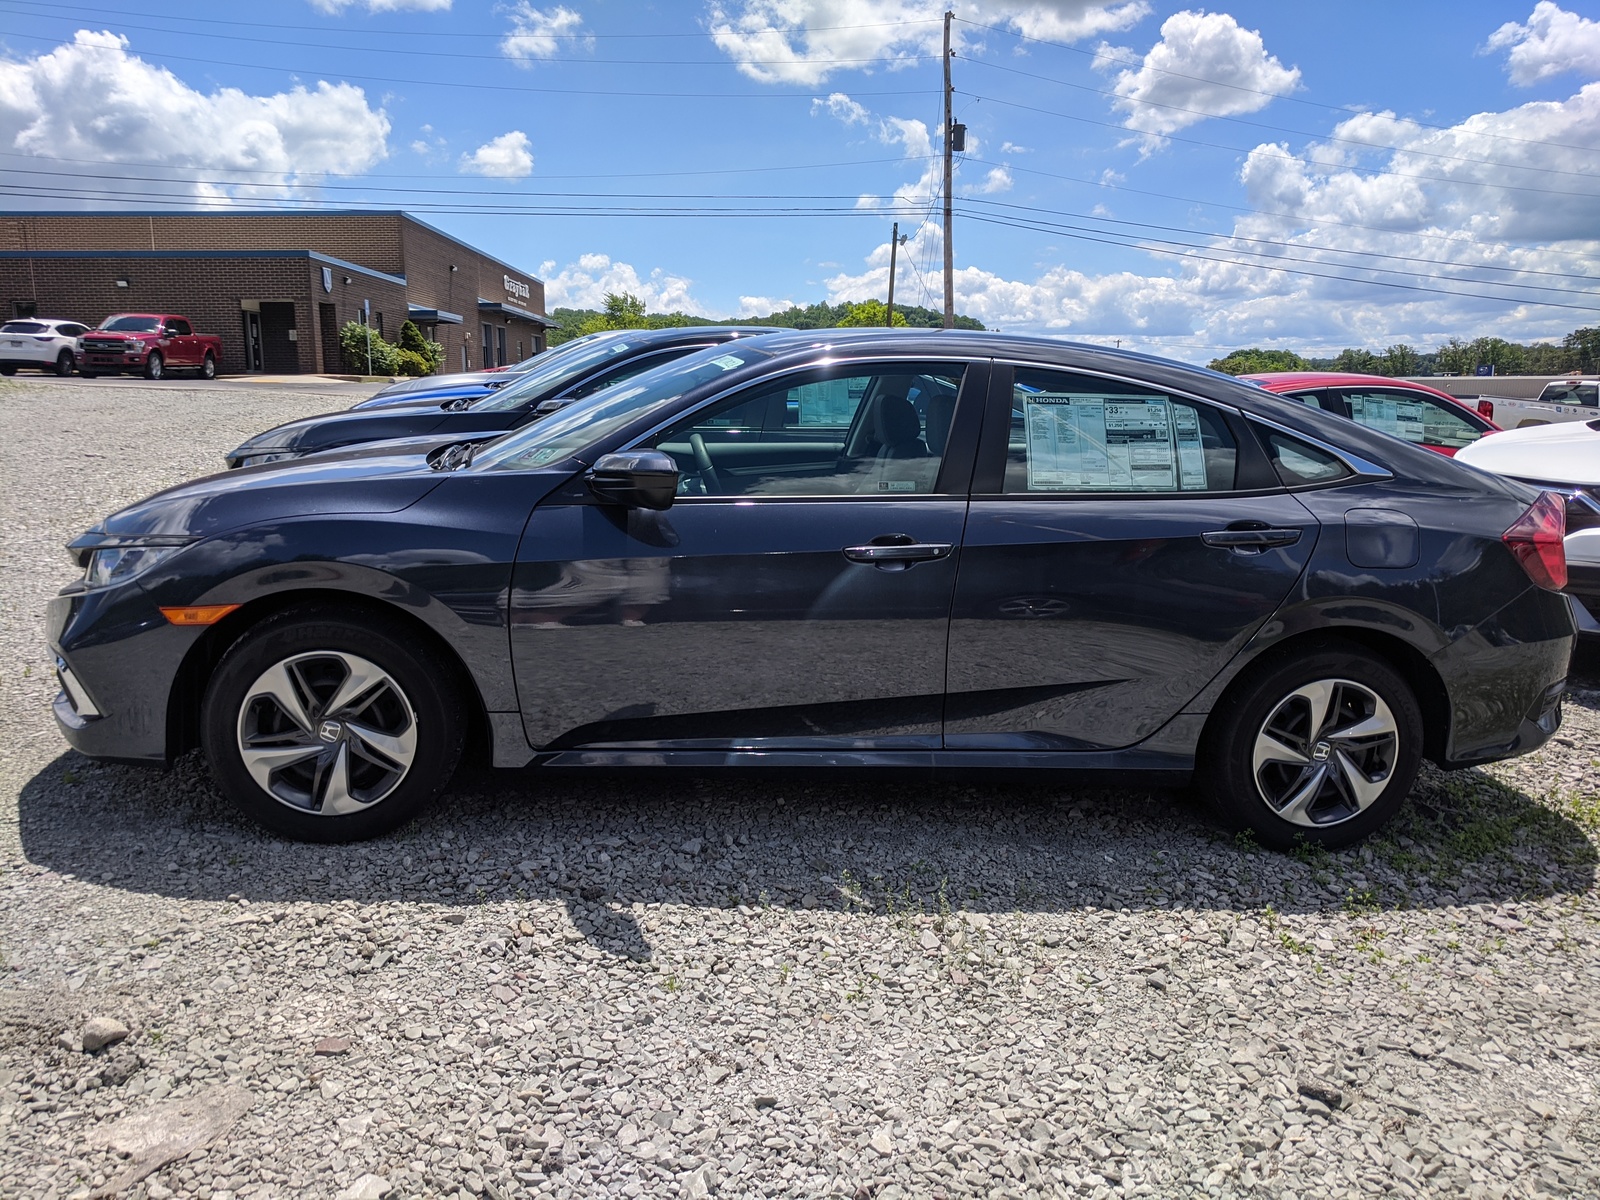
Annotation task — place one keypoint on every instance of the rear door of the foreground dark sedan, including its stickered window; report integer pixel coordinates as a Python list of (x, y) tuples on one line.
[(1122, 546)]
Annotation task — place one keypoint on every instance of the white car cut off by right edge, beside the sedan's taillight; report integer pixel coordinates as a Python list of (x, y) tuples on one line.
[(1561, 458)]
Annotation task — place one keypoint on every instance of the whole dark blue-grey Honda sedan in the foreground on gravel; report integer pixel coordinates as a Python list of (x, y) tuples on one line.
[(852, 548)]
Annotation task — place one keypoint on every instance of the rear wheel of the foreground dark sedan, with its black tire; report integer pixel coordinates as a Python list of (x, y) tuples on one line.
[(1364, 780)]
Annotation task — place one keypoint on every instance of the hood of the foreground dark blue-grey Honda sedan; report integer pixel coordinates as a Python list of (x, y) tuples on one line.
[(313, 489)]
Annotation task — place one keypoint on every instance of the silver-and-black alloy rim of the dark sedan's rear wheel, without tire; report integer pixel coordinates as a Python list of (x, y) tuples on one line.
[(1326, 753)]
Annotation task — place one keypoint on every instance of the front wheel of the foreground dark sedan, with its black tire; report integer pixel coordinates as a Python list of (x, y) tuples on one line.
[(417, 700)]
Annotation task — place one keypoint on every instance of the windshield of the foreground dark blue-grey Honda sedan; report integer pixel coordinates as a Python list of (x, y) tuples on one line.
[(598, 417)]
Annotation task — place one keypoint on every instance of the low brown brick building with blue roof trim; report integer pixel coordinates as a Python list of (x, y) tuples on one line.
[(276, 286)]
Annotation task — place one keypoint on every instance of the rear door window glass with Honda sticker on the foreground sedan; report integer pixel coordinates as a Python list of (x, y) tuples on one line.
[(1079, 434)]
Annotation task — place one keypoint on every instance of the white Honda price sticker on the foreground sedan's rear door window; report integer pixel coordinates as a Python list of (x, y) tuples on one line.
[(1084, 442)]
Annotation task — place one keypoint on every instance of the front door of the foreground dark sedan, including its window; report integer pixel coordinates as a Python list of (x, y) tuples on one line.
[(796, 596)]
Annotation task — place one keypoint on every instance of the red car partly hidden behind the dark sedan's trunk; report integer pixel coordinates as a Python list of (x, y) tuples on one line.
[(1414, 412)]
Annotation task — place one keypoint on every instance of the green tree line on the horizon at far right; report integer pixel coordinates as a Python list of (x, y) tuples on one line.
[(1578, 351)]
